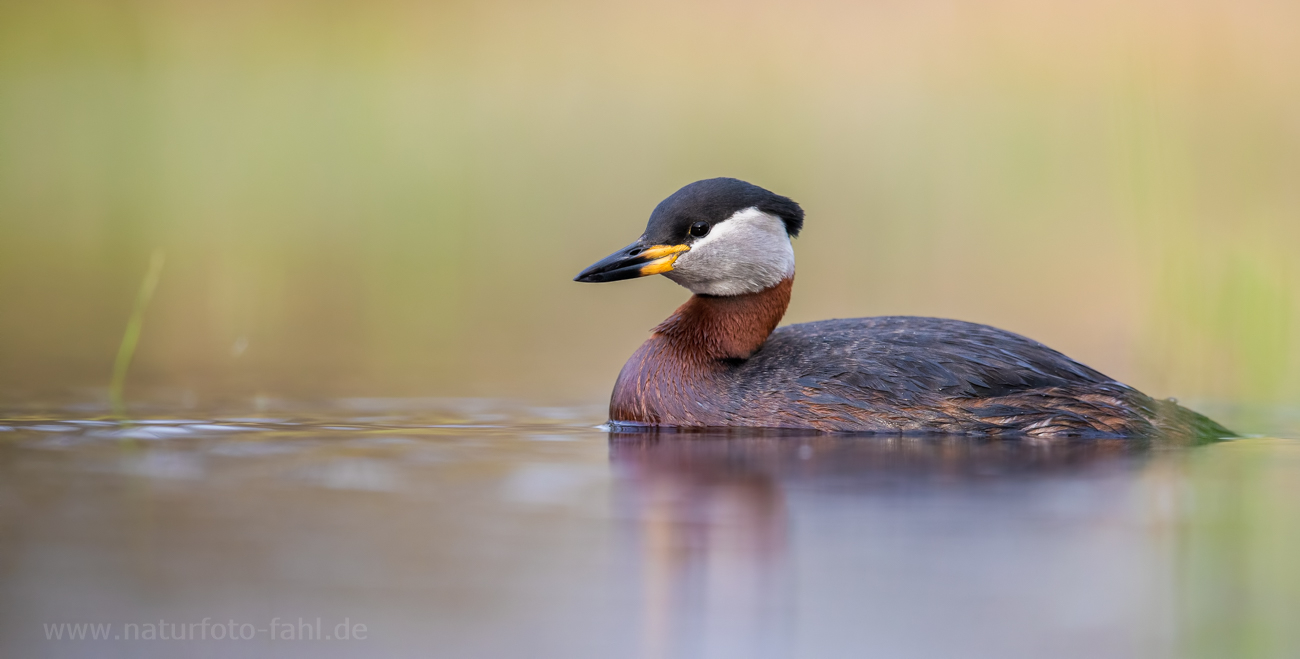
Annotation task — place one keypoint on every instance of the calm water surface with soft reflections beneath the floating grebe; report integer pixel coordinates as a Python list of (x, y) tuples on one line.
[(501, 531)]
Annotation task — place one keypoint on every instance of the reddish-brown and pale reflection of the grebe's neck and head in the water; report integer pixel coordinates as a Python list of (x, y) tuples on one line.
[(712, 534)]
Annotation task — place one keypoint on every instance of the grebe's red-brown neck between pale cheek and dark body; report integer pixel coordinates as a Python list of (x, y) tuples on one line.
[(733, 327)]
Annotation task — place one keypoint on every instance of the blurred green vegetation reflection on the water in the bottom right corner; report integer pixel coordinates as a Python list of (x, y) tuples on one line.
[(1238, 583)]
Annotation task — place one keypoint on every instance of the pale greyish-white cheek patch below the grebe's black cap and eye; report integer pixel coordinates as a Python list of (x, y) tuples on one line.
[(748, 253)]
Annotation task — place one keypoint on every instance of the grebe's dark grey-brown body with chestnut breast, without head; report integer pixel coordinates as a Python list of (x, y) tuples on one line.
[(882, 375)]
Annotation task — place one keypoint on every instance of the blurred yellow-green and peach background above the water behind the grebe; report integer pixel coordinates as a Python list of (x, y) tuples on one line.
[(389, 198)]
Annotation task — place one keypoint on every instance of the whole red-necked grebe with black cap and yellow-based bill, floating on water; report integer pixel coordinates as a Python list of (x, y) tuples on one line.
[(718, 362)]
